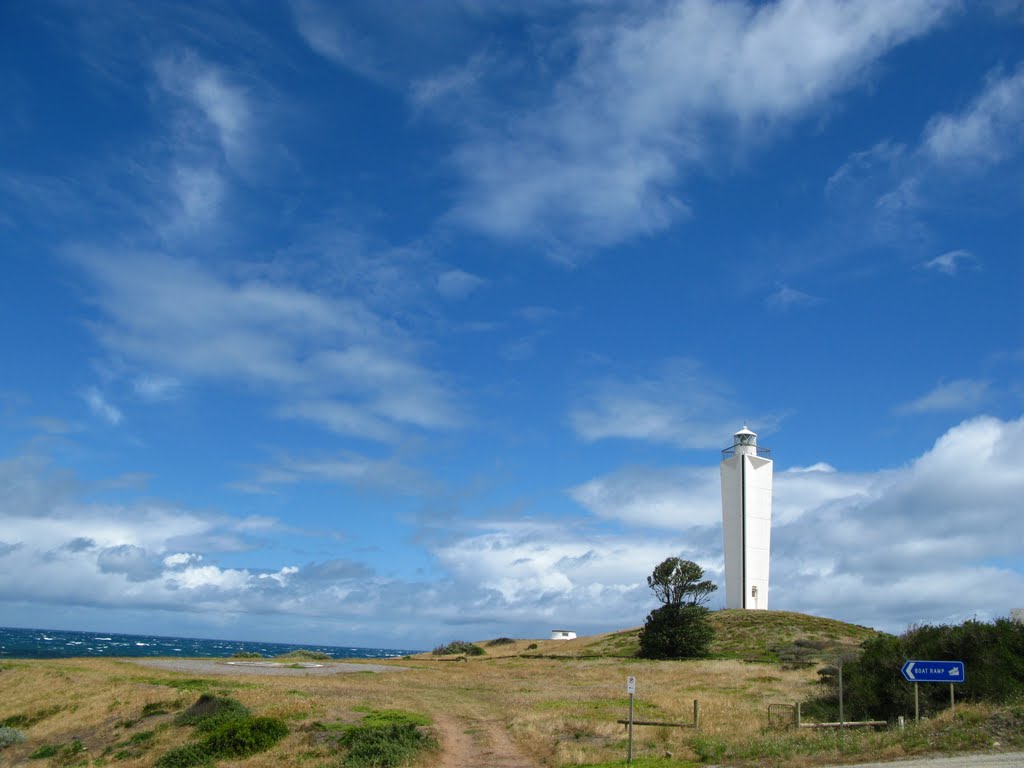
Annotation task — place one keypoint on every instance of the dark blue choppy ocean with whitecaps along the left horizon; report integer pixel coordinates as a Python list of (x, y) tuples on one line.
[(22, 644)]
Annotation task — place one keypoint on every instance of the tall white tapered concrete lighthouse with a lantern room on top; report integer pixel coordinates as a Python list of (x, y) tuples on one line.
[(747, 521)]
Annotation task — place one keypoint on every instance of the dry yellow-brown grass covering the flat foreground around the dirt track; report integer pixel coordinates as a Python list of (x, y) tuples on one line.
[(562, 712)]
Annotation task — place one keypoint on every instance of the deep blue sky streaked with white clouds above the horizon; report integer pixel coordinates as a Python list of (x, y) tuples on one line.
[(391, 324)]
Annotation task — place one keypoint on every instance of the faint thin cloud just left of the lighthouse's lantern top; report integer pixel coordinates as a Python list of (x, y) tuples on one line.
[(677, 404)]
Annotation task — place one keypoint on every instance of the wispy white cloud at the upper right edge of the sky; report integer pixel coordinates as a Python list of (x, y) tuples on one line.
[(988, 132)]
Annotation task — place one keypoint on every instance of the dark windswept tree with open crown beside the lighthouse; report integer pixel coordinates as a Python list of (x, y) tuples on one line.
[(680, 628)]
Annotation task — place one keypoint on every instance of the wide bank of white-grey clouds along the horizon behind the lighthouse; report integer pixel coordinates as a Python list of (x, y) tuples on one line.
[(935, 540)]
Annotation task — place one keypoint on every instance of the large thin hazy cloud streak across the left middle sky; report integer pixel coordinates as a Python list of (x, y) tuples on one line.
[(331, 359)]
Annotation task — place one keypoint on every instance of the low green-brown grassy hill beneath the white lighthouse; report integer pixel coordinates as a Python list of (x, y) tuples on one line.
[(750, 635)]
